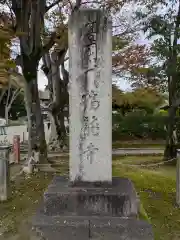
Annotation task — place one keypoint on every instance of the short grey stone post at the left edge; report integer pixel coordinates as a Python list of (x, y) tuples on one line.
[(4, 172)]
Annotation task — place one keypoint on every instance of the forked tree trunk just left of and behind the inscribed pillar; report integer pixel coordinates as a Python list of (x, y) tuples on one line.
[(58, 98)]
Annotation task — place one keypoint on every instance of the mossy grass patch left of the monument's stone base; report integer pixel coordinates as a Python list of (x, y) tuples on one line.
[(26, 194)]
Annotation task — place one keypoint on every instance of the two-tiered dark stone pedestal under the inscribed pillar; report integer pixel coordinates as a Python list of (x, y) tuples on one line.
[(100, 211)]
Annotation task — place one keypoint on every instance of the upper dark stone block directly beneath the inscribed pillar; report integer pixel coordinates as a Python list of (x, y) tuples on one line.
[(86, 199)]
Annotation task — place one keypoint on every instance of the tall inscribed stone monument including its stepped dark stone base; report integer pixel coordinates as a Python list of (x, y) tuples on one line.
[(91, 204)]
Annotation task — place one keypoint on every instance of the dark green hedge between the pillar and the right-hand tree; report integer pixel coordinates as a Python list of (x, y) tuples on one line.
[(135, 126)]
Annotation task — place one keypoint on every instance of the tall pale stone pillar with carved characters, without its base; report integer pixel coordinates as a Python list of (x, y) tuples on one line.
[(90, 61)]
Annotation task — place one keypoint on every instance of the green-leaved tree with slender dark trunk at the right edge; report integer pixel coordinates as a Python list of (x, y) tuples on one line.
[(162, 27)]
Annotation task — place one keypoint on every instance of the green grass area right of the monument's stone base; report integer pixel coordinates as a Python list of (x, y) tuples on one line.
[(157, 193)]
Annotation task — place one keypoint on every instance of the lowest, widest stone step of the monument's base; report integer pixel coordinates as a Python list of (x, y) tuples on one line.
[(94, 228)]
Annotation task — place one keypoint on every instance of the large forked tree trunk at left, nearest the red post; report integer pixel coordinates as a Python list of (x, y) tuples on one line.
[(30, 20)]
